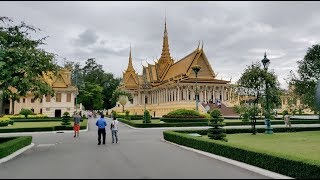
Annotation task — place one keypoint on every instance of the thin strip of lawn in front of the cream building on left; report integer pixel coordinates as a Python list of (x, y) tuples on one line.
[(39, 124)]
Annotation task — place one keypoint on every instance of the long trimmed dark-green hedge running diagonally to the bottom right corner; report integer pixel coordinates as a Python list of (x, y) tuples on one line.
[(283, 165)]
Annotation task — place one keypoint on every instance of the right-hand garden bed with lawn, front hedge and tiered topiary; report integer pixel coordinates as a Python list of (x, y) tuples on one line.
[(294, 154)]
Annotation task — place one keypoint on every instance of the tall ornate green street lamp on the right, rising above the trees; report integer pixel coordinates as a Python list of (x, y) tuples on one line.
[(265, 61)]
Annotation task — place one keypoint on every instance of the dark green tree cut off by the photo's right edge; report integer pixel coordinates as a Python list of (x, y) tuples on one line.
[(309, 73)]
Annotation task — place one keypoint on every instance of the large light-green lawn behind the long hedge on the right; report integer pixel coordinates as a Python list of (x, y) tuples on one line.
[(301, 145)]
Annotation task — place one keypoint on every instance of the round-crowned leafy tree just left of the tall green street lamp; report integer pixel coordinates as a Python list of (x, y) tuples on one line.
[(252, 82)]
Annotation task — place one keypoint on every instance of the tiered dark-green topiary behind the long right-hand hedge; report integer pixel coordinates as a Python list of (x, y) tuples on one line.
[(216, 122)]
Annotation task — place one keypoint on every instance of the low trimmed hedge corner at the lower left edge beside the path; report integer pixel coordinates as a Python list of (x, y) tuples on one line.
[(12, 144)]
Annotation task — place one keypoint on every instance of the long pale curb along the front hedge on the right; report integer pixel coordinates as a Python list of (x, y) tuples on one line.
[(249, 167)]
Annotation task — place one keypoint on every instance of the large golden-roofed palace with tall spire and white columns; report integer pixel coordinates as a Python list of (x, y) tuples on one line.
[(167, 85)]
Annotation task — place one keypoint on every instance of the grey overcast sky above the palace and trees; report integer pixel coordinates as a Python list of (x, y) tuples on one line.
[(235, 34)]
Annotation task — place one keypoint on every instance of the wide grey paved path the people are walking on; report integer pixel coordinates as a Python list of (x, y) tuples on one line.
[(139, 154)]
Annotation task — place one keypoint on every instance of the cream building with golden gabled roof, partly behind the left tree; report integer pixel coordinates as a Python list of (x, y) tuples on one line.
[(63, 101)]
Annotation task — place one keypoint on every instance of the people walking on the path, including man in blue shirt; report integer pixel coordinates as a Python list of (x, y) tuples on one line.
[(102, 124)]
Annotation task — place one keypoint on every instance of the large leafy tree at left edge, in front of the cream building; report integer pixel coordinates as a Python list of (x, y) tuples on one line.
[(22, 62)]
